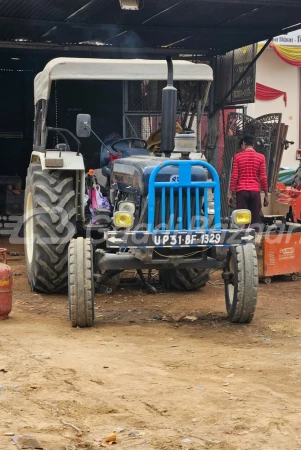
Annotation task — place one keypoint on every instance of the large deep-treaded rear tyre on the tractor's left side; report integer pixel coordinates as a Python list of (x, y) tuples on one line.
[(50, 219)]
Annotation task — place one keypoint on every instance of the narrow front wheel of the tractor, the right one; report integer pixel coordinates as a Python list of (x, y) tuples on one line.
[(241, 283)]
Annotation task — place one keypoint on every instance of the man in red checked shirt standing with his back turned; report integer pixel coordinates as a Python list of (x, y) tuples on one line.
[(248, 179)]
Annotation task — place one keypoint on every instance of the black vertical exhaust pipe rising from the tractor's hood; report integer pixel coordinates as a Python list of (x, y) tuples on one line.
[(169, 112)]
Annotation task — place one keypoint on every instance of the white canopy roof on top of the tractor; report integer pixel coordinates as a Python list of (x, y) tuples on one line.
[(115, 69)]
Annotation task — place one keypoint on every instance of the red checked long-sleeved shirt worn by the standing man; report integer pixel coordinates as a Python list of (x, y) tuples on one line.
[(249, 172)]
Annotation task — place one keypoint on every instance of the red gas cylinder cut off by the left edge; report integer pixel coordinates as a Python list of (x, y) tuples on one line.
[(6, 287)]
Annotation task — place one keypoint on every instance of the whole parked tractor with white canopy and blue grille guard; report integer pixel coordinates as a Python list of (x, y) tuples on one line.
[(163, 213)]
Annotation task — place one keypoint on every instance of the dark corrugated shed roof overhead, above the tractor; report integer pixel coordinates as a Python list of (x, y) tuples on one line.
[(210, 27)]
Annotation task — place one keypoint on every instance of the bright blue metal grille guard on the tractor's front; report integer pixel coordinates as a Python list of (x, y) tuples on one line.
[(182, 204)]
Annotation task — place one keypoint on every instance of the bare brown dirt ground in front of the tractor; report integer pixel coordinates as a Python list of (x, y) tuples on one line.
[(161, 380)]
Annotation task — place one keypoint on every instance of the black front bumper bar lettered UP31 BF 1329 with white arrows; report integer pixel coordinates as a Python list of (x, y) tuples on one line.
[(177, 239)]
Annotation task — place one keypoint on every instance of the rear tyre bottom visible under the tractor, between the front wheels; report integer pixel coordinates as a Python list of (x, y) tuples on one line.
[(184, 279)]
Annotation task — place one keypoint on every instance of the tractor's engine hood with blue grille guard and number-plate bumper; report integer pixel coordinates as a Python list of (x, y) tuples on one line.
[(176, 195)]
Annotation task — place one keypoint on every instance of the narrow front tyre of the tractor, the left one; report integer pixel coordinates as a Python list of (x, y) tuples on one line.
[(81, 283)]
